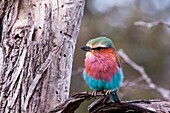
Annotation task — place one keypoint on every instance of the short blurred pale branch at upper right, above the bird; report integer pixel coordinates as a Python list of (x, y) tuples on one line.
[(150, 25)]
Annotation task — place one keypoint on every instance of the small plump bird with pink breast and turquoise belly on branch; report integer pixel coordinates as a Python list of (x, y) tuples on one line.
[(103, 67)]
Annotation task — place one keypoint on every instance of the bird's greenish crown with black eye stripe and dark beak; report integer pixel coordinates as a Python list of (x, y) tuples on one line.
[(97, 44)]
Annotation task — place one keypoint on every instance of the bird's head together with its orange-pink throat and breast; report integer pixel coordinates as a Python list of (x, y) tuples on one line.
[(100, 57)]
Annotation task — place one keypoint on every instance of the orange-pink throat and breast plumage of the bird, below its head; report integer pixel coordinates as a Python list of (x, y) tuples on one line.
[(101, 65)]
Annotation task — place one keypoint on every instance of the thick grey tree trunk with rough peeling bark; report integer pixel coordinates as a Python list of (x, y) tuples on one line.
[(38, 42)]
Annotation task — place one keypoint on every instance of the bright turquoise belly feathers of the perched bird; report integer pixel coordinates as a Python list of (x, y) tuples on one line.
[(96, 84)]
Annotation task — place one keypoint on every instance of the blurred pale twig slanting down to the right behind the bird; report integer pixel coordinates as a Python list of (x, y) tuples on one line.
[(164, 92)]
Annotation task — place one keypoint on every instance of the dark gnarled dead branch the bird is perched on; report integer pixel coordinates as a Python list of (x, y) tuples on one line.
[(101, 105)]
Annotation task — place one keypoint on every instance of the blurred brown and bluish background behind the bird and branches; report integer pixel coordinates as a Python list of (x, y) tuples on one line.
[(147, 47)]
